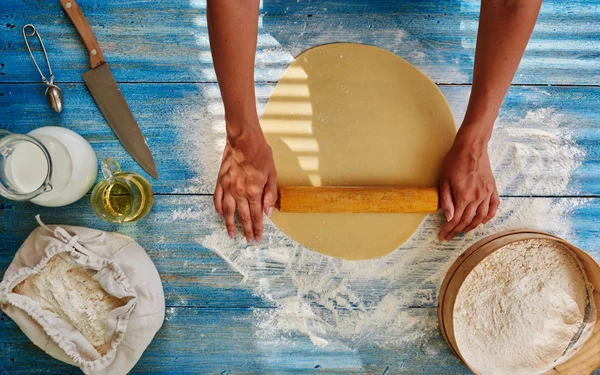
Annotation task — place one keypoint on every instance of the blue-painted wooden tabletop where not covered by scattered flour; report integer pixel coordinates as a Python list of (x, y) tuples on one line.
[(210, 326)]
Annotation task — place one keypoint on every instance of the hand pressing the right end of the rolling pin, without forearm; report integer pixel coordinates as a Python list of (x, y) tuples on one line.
[(468, 192)]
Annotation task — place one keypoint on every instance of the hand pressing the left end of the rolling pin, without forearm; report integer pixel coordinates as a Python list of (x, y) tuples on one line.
[(247, 182)]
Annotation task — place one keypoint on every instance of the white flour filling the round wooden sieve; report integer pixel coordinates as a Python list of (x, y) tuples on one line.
[(522, 308)]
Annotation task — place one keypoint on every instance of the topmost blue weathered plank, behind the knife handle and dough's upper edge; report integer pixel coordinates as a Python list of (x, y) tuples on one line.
[(146, 41)]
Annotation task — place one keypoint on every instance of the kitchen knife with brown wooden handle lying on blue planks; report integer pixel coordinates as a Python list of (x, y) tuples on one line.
[(107, 94)]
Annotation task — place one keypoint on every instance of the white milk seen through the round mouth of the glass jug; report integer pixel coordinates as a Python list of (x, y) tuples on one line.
[(28, 166)]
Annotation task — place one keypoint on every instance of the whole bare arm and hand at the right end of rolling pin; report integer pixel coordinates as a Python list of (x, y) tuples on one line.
[(468, 192)]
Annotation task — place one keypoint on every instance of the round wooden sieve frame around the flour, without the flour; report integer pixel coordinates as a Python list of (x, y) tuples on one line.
[(584, 360)]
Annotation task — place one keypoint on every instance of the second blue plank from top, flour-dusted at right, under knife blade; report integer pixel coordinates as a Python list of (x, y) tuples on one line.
[(184, 127)]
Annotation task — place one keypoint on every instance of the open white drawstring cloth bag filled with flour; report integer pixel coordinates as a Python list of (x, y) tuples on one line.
[(86, 297)]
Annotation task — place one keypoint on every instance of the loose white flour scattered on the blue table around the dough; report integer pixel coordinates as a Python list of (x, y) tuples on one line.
[(333, 301)]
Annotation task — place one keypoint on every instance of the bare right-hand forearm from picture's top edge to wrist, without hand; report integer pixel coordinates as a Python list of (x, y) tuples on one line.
[(504, 30)]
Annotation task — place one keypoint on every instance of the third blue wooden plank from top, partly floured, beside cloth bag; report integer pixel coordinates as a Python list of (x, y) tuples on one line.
[(182, 234)]
